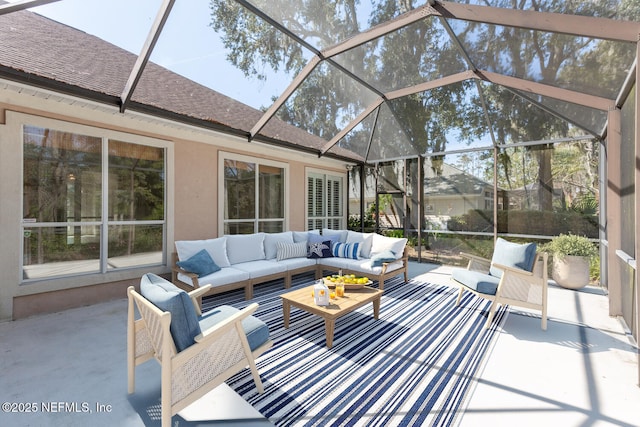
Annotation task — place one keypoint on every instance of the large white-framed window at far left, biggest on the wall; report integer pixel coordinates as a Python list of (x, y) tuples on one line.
[(91, 204)]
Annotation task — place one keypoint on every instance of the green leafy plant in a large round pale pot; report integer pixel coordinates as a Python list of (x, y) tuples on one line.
[(572, 256)]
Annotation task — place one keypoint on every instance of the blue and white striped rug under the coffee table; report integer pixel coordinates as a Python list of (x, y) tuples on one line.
[(415, 365)]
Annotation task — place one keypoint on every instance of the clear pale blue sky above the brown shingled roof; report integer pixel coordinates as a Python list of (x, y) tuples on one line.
[(187, 45)]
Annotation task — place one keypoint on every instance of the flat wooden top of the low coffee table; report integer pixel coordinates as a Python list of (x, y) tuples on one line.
[(303, 298)]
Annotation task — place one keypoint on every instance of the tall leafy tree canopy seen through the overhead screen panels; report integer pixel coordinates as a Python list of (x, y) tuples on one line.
[(427, 120)]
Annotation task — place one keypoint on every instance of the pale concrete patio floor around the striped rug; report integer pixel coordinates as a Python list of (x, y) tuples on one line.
[(70, 369)]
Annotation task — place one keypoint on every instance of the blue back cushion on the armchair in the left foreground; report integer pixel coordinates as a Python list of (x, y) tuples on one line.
[(168, 297)]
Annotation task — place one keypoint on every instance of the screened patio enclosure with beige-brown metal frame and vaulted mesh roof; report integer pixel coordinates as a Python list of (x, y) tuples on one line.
[(458, 121)]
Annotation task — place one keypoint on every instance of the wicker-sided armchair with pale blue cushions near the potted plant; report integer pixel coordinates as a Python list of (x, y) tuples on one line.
[(506, 283)]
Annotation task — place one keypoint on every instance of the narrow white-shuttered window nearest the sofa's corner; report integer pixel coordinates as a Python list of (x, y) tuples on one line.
[(324, 201)]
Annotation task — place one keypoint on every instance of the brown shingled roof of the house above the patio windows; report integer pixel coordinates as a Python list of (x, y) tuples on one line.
[(42, 52)]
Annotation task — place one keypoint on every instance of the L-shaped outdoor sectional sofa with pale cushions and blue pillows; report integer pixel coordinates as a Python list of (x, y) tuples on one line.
[(244, 260)]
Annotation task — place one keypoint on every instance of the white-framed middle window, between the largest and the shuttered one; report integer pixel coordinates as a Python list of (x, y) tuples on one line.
[(254, 195)]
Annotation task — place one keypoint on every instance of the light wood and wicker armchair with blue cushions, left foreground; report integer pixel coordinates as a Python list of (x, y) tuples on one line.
[(191, 366)]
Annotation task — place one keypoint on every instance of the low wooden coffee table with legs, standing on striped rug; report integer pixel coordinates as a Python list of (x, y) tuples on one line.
[(353, 299)]
